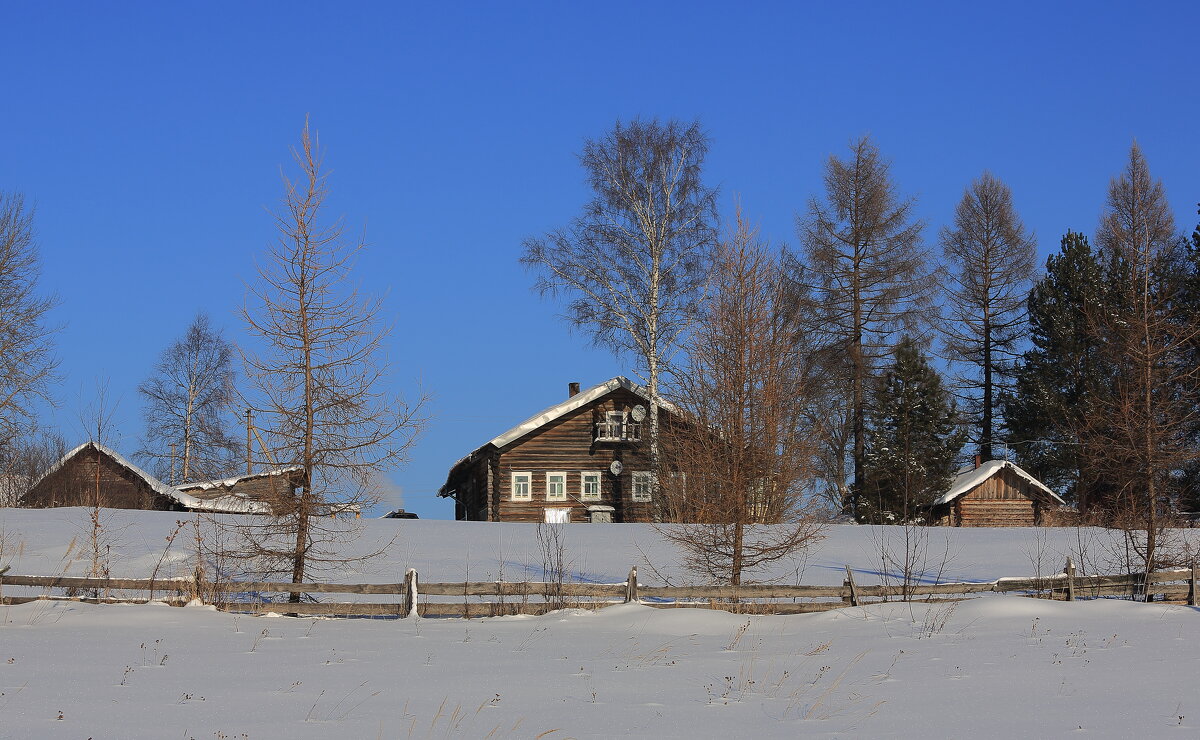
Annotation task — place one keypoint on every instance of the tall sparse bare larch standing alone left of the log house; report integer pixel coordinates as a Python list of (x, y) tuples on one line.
[(319, 378)]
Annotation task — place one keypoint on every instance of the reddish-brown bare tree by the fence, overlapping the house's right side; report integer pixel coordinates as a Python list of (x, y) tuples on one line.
[(740, 456)]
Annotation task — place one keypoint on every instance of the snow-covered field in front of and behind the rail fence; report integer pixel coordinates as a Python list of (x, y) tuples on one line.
[(995, 667)]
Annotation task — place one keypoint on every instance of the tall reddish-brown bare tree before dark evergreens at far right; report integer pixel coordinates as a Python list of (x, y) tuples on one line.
[(1144, 419)]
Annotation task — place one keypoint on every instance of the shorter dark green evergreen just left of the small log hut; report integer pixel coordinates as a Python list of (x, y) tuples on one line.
[(913, 440)]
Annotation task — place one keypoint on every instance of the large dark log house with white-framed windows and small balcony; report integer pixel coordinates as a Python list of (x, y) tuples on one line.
[(584, 460)]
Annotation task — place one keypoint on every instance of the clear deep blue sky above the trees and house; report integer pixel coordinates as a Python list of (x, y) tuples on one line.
[(151, 139)]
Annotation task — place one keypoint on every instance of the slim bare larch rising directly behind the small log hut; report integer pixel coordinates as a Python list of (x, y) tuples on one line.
[(991, 255)]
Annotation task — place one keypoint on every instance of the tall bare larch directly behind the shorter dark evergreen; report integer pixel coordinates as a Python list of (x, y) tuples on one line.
[(871, 274)]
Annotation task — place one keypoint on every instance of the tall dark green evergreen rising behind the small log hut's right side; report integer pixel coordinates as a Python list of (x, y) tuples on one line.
[(1055, 381)]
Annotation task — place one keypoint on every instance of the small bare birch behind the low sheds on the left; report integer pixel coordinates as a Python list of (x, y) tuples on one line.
[(189, 407)]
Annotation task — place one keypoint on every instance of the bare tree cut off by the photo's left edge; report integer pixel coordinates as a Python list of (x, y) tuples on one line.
[(27, 359)]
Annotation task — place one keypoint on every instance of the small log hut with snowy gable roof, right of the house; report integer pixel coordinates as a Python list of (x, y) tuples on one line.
[(997, 494)]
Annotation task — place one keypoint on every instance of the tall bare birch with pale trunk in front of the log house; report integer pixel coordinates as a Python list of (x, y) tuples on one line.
[(632, 266)]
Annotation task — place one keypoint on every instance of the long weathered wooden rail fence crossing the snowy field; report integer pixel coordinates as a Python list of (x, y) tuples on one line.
[(515, 598)]
